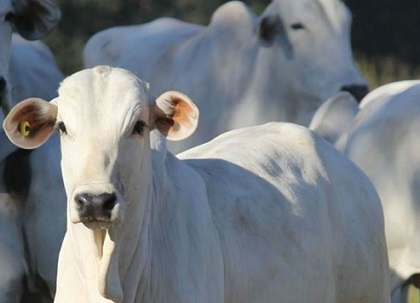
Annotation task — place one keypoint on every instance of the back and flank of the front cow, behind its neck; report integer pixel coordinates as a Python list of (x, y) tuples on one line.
[(309, 219)]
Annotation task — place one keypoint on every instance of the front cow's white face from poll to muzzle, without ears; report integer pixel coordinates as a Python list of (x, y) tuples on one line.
[(103, 118)]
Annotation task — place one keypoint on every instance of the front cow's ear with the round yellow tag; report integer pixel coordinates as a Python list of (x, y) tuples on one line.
[(30, 123)]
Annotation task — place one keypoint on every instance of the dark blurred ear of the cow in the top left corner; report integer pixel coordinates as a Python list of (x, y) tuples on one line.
[(33, 19)]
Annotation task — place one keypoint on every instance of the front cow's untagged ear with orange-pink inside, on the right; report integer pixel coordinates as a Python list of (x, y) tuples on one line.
[(174, 115)]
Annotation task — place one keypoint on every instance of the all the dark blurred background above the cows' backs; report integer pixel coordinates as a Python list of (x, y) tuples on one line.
[(385, 33)]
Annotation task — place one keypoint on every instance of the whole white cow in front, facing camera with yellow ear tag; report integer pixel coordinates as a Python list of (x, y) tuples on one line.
[(262, 214)]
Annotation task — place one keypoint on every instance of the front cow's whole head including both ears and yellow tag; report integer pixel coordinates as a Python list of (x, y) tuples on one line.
[(104, 116)]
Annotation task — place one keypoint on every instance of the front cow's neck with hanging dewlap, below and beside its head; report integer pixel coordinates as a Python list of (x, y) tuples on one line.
[(118, 261)]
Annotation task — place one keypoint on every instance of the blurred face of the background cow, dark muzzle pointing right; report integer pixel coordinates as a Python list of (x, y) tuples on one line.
[(310, 40)]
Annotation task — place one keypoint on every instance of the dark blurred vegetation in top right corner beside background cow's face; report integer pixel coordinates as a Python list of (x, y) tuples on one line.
[(386, 39)]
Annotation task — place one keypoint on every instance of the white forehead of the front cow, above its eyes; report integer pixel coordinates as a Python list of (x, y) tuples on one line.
[(102, 94)]
